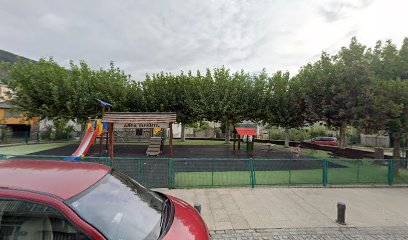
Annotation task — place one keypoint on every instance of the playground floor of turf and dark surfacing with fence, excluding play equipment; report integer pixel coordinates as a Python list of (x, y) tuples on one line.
[(198, 163)]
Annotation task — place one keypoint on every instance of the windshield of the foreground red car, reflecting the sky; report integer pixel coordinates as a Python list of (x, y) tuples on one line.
[(120, 208)]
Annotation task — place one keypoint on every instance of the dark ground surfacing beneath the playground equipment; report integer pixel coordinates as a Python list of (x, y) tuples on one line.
[(201, 153)]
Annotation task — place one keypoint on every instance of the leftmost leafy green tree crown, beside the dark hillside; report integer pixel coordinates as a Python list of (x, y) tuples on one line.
[(38, 88)]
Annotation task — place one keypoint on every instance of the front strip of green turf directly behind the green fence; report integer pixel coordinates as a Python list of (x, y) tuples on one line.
[(356, 172)]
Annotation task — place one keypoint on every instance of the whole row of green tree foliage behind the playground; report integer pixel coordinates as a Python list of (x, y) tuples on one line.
[(356, 86)]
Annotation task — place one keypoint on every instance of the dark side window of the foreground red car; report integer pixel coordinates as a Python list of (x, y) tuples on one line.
[(24, 220)]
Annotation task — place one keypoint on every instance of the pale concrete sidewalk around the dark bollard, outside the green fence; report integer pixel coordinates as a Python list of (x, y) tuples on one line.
[(270, 208)]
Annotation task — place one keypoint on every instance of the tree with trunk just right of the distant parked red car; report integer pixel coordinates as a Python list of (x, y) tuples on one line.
[(334, 86)]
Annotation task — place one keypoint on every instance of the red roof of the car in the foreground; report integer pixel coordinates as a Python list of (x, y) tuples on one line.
[(62, 179)]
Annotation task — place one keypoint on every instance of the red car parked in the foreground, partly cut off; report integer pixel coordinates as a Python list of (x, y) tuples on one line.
[(48, 200)]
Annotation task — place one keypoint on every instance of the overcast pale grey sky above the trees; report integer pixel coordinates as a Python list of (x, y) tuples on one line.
[(173, 35)]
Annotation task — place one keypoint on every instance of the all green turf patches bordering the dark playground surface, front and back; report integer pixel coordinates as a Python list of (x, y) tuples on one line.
[(364, 171)]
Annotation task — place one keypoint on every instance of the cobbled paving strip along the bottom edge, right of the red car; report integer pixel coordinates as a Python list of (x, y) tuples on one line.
[(371, 233)]
